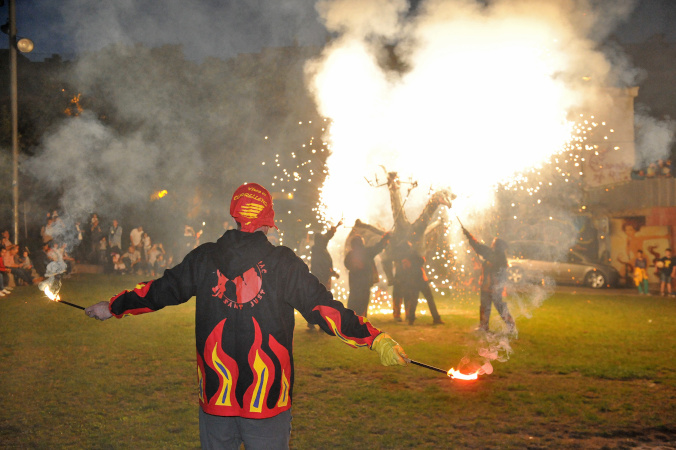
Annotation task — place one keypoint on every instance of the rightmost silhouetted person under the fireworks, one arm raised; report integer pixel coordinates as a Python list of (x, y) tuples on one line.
[(493, 280)]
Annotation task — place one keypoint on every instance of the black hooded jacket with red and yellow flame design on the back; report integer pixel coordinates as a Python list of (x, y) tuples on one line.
[(246, 292)]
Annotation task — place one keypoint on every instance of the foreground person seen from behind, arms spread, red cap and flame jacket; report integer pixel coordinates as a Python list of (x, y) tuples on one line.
[(246, 292)]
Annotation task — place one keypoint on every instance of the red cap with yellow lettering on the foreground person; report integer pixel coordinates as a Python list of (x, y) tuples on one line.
[(251, 207)]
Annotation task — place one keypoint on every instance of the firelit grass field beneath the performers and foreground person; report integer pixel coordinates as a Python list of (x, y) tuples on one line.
[(587, 371)]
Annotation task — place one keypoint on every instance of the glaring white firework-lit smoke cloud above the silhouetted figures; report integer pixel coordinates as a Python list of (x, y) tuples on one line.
[(460, 94)]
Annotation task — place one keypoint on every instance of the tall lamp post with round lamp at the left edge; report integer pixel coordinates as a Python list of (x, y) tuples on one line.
[(23, 45)]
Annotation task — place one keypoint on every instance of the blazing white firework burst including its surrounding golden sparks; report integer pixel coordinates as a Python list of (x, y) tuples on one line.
[(480, 100)]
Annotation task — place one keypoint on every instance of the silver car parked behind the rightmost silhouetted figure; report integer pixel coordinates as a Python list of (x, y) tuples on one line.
[(534, 261)]
